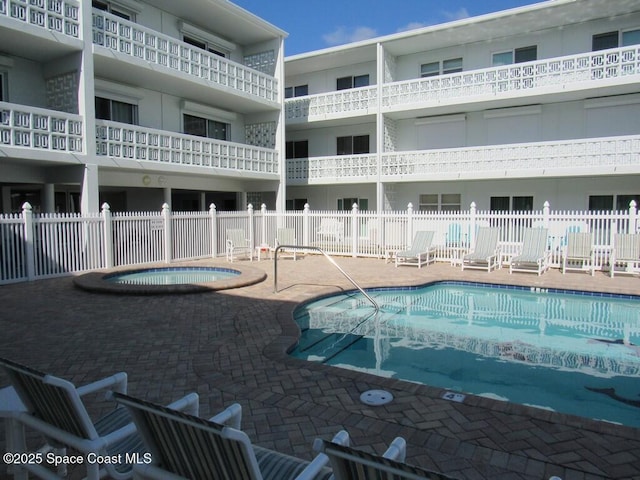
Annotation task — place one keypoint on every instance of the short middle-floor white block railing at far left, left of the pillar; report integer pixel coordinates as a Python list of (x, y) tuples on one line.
[(40, 129)]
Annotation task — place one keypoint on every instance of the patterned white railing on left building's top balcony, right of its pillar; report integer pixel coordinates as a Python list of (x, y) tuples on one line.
[(153, 47)]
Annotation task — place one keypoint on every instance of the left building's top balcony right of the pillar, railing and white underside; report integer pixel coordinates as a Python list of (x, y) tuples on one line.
[(149, 54)]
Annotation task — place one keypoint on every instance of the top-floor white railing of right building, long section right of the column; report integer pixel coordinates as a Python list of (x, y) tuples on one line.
[(559, 72)]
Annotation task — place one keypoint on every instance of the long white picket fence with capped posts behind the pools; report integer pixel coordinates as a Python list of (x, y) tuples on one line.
[(34, 246)]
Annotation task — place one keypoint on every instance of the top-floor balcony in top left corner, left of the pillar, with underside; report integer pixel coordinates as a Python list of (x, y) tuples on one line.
[(40, 29)]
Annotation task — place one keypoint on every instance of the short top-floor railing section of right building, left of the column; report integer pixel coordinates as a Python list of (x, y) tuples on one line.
[(317, 107)]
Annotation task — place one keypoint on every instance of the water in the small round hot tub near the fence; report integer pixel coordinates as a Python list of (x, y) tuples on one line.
[(172, 276)]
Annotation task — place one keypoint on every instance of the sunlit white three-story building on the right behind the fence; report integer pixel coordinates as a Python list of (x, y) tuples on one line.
[(507, 110)]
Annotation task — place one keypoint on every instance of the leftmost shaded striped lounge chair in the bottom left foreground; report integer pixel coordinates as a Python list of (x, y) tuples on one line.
[(54, 408)]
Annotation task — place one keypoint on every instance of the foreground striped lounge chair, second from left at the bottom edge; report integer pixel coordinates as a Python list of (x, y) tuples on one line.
[(184, 447)]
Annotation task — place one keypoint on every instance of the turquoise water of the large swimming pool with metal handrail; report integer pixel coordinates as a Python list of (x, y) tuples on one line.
[(574, 352)]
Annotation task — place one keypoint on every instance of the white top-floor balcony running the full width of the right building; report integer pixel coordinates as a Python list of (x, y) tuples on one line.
[(614, 71)]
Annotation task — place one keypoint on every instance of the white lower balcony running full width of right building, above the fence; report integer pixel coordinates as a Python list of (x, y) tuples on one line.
[(605, 156)]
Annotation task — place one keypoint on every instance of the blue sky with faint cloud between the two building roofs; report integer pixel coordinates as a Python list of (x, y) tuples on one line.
[(316, 24)]
